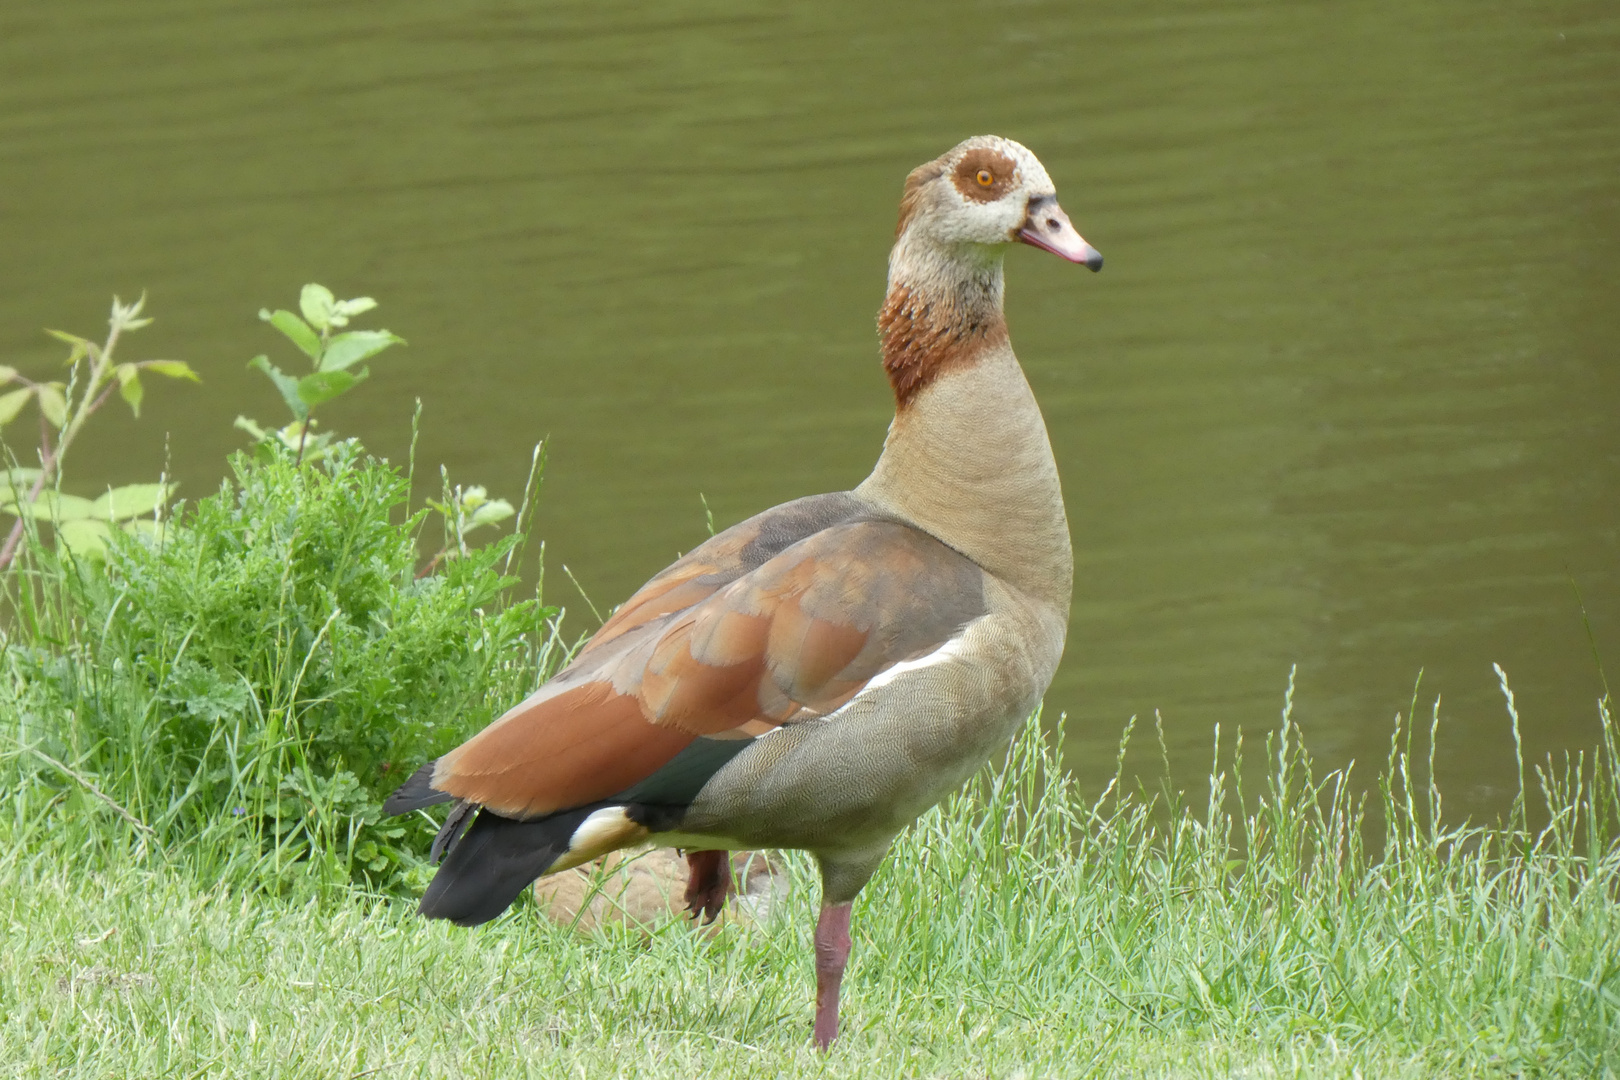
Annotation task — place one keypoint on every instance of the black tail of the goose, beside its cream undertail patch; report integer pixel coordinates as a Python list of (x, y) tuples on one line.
[(492, 865)]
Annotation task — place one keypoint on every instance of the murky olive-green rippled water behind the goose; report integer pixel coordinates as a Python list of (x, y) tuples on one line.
[(1345, 396)]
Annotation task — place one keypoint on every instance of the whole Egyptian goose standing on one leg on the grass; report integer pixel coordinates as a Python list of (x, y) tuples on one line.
[(822, 674)]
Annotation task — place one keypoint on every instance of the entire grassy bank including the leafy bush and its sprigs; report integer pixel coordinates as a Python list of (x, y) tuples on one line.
[(200, 713)]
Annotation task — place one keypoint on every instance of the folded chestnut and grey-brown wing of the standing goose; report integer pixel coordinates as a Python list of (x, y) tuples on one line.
[(770, 632)]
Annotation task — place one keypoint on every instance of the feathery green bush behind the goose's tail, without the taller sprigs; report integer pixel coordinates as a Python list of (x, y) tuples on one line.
[(262, 676)]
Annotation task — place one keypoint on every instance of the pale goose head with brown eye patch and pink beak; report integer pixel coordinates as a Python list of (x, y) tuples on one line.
[(983, 195)]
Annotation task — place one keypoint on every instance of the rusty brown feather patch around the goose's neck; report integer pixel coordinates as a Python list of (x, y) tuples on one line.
[(924, 338)]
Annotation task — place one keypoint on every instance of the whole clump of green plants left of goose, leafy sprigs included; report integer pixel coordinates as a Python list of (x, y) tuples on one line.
[(249, 689)]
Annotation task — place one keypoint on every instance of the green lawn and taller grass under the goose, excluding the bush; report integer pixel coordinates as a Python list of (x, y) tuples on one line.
[(1020, 930)]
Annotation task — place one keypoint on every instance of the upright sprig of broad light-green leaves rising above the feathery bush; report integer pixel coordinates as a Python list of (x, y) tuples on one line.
[(335, 355)]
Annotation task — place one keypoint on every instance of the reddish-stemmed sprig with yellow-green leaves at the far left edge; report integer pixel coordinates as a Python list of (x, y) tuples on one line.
[(64, 410)]
